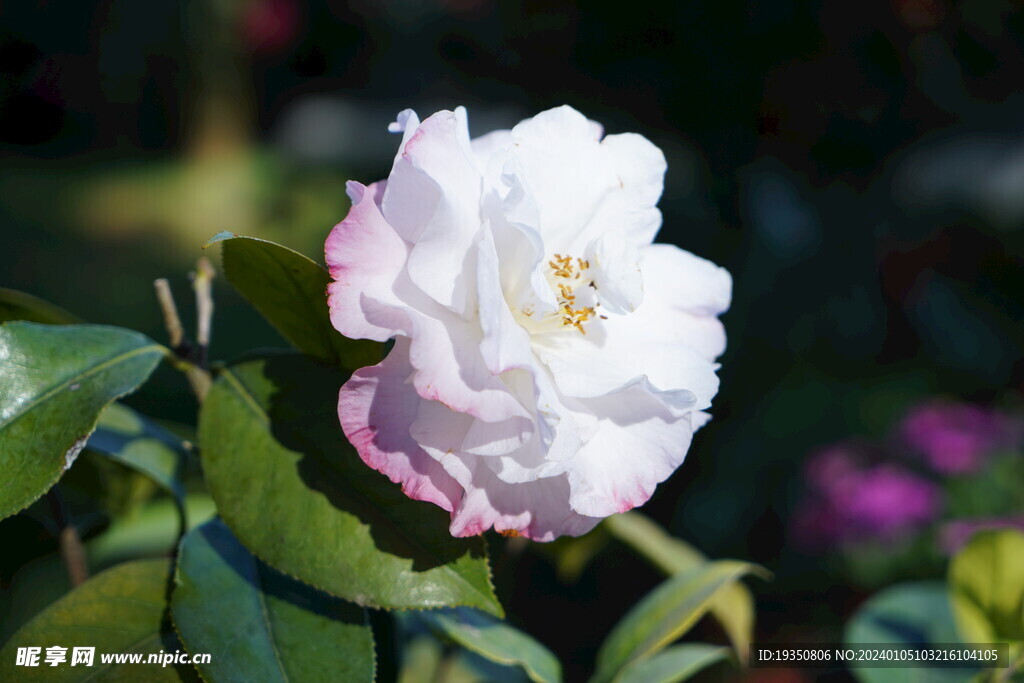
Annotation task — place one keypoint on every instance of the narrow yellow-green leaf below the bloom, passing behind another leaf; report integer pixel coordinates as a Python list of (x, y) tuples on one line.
[(733, 608)]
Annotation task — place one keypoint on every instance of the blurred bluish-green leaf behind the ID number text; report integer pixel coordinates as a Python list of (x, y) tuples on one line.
[(912, 614)]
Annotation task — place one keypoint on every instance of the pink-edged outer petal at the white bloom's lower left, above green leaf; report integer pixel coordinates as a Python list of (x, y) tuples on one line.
[(376, 408)]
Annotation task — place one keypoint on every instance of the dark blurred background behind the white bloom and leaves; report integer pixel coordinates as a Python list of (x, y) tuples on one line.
[(859, 168)]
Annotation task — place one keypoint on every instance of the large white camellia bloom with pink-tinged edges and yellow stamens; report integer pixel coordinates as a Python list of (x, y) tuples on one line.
[(551, 364)]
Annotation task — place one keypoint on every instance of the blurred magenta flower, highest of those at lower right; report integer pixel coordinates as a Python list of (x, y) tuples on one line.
[(954, 439)]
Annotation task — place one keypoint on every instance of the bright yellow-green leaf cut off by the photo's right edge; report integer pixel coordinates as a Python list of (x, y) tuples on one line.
[(987, 585)]
